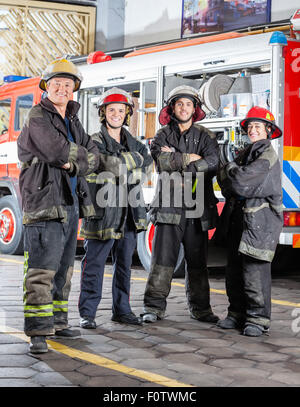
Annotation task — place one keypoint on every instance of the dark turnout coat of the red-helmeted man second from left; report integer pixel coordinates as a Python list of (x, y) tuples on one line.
[(111, 213)]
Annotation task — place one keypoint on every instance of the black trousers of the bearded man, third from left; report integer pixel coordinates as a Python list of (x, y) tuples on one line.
[(166, 245)]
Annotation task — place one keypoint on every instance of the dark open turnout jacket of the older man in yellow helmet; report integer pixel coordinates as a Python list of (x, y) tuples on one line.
[(43, 147)]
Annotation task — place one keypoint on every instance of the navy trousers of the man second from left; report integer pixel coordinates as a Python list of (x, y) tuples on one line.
[(92, 272)]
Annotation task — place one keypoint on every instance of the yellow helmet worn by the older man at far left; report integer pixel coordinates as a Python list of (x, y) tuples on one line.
[(61, 68)]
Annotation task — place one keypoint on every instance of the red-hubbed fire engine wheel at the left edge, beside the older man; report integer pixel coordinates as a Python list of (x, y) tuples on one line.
[(11, 227)]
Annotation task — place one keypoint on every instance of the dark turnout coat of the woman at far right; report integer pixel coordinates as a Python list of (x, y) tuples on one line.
[(255, 176)]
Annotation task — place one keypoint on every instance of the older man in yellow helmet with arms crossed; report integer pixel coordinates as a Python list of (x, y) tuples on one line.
[(55, 153)]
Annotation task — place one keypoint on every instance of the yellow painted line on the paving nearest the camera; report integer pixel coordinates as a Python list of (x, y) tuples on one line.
[(100, 361)]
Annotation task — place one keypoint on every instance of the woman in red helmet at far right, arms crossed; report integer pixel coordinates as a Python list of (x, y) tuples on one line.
[(252, 187)]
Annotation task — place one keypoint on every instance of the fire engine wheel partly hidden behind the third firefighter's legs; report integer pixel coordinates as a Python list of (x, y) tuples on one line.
[(144, 248)]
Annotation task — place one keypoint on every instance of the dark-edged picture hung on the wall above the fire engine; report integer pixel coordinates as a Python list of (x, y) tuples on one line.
[(213, 16)]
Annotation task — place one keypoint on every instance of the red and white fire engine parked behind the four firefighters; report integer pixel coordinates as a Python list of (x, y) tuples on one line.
[(233, 72)]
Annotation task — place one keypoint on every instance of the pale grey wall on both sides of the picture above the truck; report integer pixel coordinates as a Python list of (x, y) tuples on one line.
[(130, 23)]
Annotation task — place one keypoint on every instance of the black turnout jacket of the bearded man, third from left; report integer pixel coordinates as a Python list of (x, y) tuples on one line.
[(198, 140)]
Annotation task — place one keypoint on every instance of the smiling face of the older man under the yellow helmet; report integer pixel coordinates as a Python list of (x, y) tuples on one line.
[(60, 90)]
